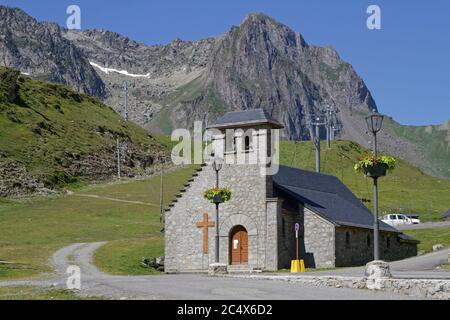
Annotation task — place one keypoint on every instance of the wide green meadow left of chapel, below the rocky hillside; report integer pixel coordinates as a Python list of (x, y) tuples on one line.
[(33, 230)]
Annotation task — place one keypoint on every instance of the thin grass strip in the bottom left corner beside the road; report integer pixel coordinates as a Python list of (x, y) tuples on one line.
[(35, 293)]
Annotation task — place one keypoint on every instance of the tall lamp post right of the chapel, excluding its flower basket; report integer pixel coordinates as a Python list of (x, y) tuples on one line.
[(374, 123)]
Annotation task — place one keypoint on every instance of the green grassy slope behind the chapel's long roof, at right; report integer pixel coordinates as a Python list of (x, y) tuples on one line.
[(406, 189)]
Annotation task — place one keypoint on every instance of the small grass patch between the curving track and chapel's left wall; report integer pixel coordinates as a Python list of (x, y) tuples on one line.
[(123, 257)]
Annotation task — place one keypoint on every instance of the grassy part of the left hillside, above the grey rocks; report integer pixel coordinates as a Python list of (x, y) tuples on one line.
[(45, 124)]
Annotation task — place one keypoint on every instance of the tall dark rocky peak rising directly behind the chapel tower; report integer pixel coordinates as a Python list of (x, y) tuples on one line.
[(264, 64)]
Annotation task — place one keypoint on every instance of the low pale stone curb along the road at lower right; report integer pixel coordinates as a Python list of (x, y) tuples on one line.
[(424, 288)]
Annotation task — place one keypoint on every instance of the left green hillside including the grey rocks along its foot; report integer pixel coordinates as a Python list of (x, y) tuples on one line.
[(51, 136)]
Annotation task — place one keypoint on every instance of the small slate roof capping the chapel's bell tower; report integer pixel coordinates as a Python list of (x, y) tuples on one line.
[(245, 117)]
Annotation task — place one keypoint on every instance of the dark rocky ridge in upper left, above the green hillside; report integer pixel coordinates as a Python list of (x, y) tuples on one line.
[(40, 50)]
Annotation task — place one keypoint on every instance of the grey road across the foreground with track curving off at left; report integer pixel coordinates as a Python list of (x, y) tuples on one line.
[(190, 286)]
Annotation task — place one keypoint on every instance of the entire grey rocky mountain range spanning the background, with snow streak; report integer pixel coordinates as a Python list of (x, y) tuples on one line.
[(259, 64)]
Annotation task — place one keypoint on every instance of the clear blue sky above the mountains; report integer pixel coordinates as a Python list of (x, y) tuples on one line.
[(406, 64)]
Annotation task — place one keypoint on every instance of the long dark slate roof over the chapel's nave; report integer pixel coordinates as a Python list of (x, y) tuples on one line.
[(325, 195)]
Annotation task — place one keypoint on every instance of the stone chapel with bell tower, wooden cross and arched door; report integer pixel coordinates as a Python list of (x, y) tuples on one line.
[(256, 227)]
